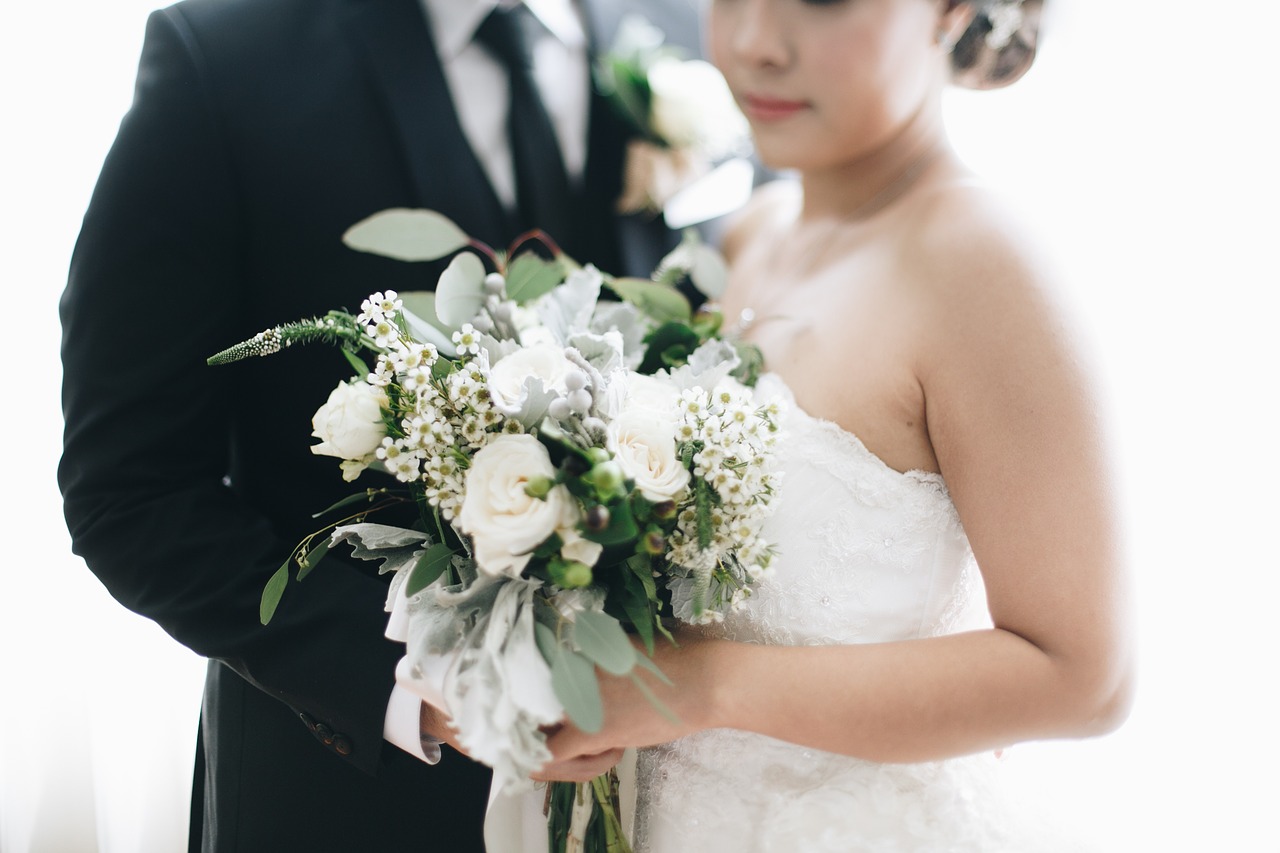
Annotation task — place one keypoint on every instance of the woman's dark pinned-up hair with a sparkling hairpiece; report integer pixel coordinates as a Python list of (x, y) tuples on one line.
[(976, 65)]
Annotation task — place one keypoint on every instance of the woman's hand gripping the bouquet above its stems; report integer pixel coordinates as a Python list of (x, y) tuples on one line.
[(632, 719)]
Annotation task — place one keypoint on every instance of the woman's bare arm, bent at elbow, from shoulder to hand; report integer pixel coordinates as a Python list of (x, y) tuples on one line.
[(1014, 427)]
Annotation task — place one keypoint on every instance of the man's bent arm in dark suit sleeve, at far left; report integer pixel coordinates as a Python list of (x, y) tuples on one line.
[(157, 284)]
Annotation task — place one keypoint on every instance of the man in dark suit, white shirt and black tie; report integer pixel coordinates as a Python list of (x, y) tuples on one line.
[(259, 133)]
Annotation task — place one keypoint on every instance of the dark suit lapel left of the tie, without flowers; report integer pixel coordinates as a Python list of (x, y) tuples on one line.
[(395, 42)]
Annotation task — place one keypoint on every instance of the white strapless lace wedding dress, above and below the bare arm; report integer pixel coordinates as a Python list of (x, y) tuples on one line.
[(866, 555)]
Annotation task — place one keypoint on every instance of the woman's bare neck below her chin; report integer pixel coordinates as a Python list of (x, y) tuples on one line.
[(865, 185)]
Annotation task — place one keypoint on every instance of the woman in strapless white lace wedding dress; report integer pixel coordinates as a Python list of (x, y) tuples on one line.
[(949, 578)]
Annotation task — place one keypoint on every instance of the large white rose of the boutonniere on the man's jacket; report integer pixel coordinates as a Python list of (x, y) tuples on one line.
[(692, 107)]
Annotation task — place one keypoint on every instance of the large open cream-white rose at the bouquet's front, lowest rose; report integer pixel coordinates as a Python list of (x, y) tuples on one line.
[(504, 523)]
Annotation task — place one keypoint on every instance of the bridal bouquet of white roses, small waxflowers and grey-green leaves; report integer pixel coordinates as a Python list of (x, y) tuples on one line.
[(580, 469)]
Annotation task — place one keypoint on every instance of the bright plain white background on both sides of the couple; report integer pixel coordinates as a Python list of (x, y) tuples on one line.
[(1144, 145)]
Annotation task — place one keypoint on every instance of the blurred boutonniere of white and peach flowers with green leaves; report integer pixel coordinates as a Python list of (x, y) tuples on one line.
[(680, 111)]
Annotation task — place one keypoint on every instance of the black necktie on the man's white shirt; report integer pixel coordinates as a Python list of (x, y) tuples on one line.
[(542, 184)]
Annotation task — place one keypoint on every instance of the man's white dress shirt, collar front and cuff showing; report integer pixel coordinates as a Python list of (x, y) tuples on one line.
[(478, 84)]
